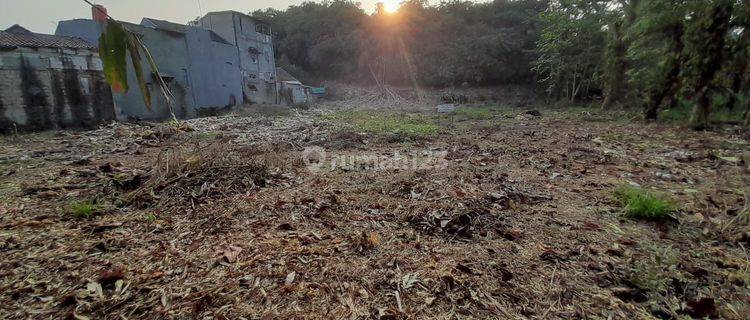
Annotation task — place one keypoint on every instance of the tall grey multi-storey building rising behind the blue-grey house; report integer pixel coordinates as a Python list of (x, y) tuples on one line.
[(258, 66)]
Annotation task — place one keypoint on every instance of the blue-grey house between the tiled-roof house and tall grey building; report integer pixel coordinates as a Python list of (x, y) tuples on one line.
[(200, 67)]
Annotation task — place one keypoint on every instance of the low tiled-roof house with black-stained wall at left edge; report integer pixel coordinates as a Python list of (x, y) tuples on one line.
[(50, 82)]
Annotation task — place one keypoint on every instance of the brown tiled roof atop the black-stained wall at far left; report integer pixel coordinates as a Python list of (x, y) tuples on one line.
[(38, 40)]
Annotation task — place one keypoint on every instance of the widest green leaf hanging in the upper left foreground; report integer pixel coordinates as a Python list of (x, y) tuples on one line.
[(112, 47)]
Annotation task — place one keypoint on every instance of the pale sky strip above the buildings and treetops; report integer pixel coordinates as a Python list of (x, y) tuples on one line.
[(41, 16)]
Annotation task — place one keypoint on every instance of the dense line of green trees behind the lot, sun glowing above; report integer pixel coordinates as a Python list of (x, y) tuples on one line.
[(652, 54)]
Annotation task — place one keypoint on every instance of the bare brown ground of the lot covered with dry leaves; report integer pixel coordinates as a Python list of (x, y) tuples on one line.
[(223, 219)]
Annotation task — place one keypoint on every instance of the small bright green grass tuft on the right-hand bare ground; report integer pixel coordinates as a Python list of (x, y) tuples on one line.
[(642, 204)]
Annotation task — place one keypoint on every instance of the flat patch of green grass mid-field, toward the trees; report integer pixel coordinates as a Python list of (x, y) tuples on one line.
[(410, 125)]
